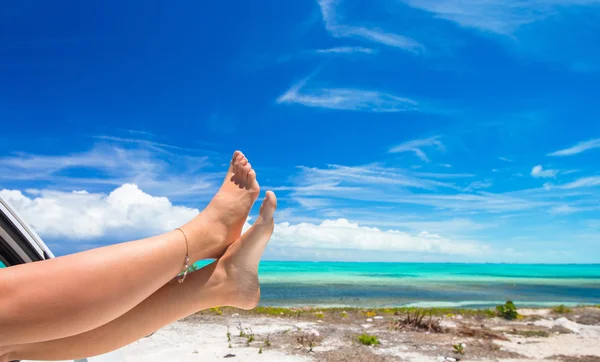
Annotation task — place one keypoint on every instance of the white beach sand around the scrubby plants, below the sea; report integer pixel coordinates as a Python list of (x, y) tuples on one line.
[(204, 338)]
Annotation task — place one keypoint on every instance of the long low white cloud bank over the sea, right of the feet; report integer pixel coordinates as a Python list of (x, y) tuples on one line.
[(343, 235)]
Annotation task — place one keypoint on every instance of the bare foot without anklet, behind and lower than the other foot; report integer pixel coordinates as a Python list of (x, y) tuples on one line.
[(237, 269)]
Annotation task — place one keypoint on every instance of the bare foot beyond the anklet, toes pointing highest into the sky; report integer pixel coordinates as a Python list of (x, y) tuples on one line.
[(221, 223)]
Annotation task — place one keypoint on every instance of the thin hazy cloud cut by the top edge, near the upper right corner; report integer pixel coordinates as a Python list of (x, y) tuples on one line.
[(492, 15)]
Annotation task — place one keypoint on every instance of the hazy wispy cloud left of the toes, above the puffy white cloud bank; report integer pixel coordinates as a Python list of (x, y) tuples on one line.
[(147, 164)]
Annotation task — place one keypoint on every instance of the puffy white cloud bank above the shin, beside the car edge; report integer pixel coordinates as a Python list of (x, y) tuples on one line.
[(81, 215)]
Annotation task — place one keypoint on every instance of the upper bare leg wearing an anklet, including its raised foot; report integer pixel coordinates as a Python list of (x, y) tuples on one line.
[(73, 294)]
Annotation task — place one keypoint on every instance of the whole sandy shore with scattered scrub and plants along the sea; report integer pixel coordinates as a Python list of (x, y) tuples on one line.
[(270, 334)]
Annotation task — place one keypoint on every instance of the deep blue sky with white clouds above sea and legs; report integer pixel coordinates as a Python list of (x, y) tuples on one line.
[(432, 130)]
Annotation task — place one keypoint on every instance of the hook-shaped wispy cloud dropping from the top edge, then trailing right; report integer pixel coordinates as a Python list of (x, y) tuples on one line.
[(330, 19)]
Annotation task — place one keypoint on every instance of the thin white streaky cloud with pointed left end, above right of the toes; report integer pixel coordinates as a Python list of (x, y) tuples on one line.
[(346, 99)]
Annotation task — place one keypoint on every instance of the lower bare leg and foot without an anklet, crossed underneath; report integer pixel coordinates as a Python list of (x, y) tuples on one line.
[(230, 281)]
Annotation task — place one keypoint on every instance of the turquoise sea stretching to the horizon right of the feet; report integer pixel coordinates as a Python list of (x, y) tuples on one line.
[(426, 284)]
